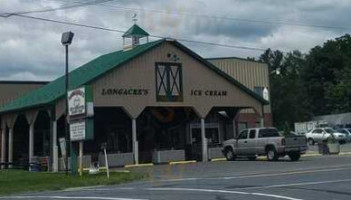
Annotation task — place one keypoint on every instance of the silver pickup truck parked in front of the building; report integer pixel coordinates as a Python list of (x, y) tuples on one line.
[(264, 141)]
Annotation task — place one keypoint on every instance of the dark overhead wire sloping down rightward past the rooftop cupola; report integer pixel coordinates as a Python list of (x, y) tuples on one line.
[(120, 31)]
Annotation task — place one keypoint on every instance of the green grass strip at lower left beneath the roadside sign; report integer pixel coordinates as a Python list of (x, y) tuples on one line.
[(19, 181)]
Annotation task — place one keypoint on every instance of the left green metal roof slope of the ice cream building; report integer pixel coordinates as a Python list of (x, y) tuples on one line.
[(78, 77)]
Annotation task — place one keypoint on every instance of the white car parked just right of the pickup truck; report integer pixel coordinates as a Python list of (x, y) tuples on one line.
[(318, 135)]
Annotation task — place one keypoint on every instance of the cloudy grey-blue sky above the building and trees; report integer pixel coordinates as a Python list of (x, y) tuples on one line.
[(31, 49)]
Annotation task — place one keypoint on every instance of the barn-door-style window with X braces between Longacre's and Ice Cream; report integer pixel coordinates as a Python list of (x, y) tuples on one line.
[(169, 85)]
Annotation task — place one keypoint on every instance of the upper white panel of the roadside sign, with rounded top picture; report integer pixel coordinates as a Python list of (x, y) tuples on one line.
[(76, 102)]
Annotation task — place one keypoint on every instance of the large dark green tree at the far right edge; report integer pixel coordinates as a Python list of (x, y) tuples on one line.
[(326, 76)]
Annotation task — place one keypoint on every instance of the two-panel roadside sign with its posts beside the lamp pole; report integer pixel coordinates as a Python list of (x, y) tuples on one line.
[(81, 123)]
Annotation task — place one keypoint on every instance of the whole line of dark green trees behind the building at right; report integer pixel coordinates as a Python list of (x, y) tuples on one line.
[(310, 84)]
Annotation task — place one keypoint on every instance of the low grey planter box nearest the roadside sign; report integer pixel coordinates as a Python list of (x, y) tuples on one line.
[(117, 159)]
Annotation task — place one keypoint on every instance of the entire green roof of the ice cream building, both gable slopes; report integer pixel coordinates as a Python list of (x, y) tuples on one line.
[(92, 70)]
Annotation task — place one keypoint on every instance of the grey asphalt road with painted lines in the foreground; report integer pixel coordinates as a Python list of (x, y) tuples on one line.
[(327, 177)]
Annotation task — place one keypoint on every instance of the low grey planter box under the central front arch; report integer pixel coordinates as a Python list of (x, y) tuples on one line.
[(168, 156)]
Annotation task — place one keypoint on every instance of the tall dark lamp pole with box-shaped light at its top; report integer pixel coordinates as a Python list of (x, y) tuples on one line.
[(66, 40)]
